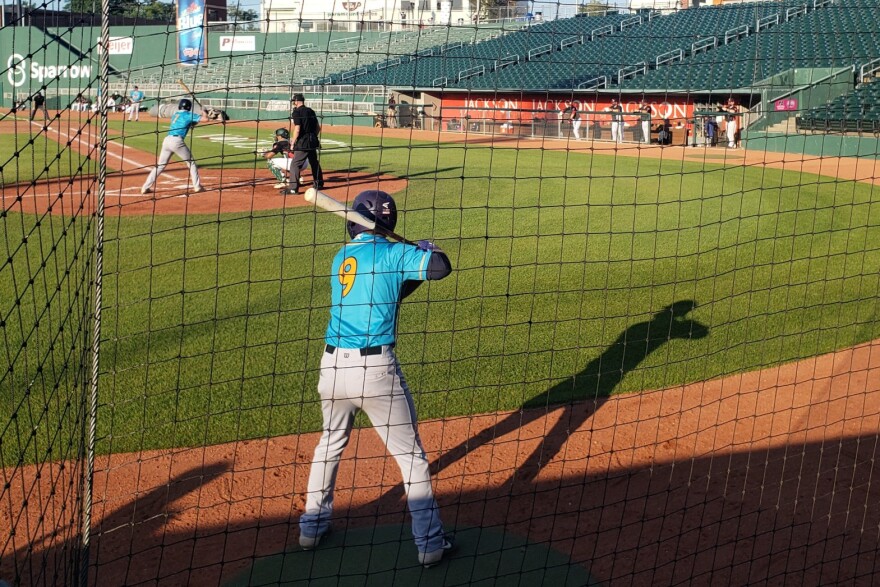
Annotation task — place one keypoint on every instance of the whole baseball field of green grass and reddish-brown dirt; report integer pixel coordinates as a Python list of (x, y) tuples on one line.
[(635, 340)]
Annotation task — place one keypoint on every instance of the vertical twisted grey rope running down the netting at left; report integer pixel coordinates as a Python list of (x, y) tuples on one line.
[(104, 85)]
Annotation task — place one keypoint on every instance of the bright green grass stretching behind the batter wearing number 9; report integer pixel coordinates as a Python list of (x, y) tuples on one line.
[(565, 265)]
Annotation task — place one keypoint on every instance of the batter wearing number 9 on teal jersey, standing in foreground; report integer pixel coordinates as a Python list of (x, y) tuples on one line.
[(359, 371)]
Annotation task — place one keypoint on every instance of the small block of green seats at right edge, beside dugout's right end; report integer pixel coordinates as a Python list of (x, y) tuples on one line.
[(856, 111)]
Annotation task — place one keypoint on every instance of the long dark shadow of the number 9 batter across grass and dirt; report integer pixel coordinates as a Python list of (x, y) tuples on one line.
[(590, 388)]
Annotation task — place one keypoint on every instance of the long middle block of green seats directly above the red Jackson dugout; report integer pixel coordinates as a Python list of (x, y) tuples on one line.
[(574, 53)]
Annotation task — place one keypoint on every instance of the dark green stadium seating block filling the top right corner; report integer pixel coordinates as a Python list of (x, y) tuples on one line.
[(810, 40)]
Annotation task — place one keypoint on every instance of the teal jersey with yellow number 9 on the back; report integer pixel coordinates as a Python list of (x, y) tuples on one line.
[(366, 279)]
